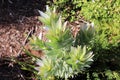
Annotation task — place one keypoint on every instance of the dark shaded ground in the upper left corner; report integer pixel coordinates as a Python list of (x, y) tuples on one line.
[(14, 9)]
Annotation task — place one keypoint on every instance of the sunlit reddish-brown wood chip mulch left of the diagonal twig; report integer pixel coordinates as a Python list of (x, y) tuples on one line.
[(13, 35)]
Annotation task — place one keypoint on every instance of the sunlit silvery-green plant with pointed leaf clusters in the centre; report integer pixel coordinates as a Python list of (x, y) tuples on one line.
[(62, 59)]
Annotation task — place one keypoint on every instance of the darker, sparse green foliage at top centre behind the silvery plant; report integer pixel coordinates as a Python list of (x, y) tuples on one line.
[(70, 9)]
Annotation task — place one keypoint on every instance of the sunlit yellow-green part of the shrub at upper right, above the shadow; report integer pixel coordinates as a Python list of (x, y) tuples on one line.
[(105, 15)]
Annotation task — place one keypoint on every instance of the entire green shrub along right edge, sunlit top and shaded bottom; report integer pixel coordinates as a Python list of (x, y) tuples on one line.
[(106, 42)]
